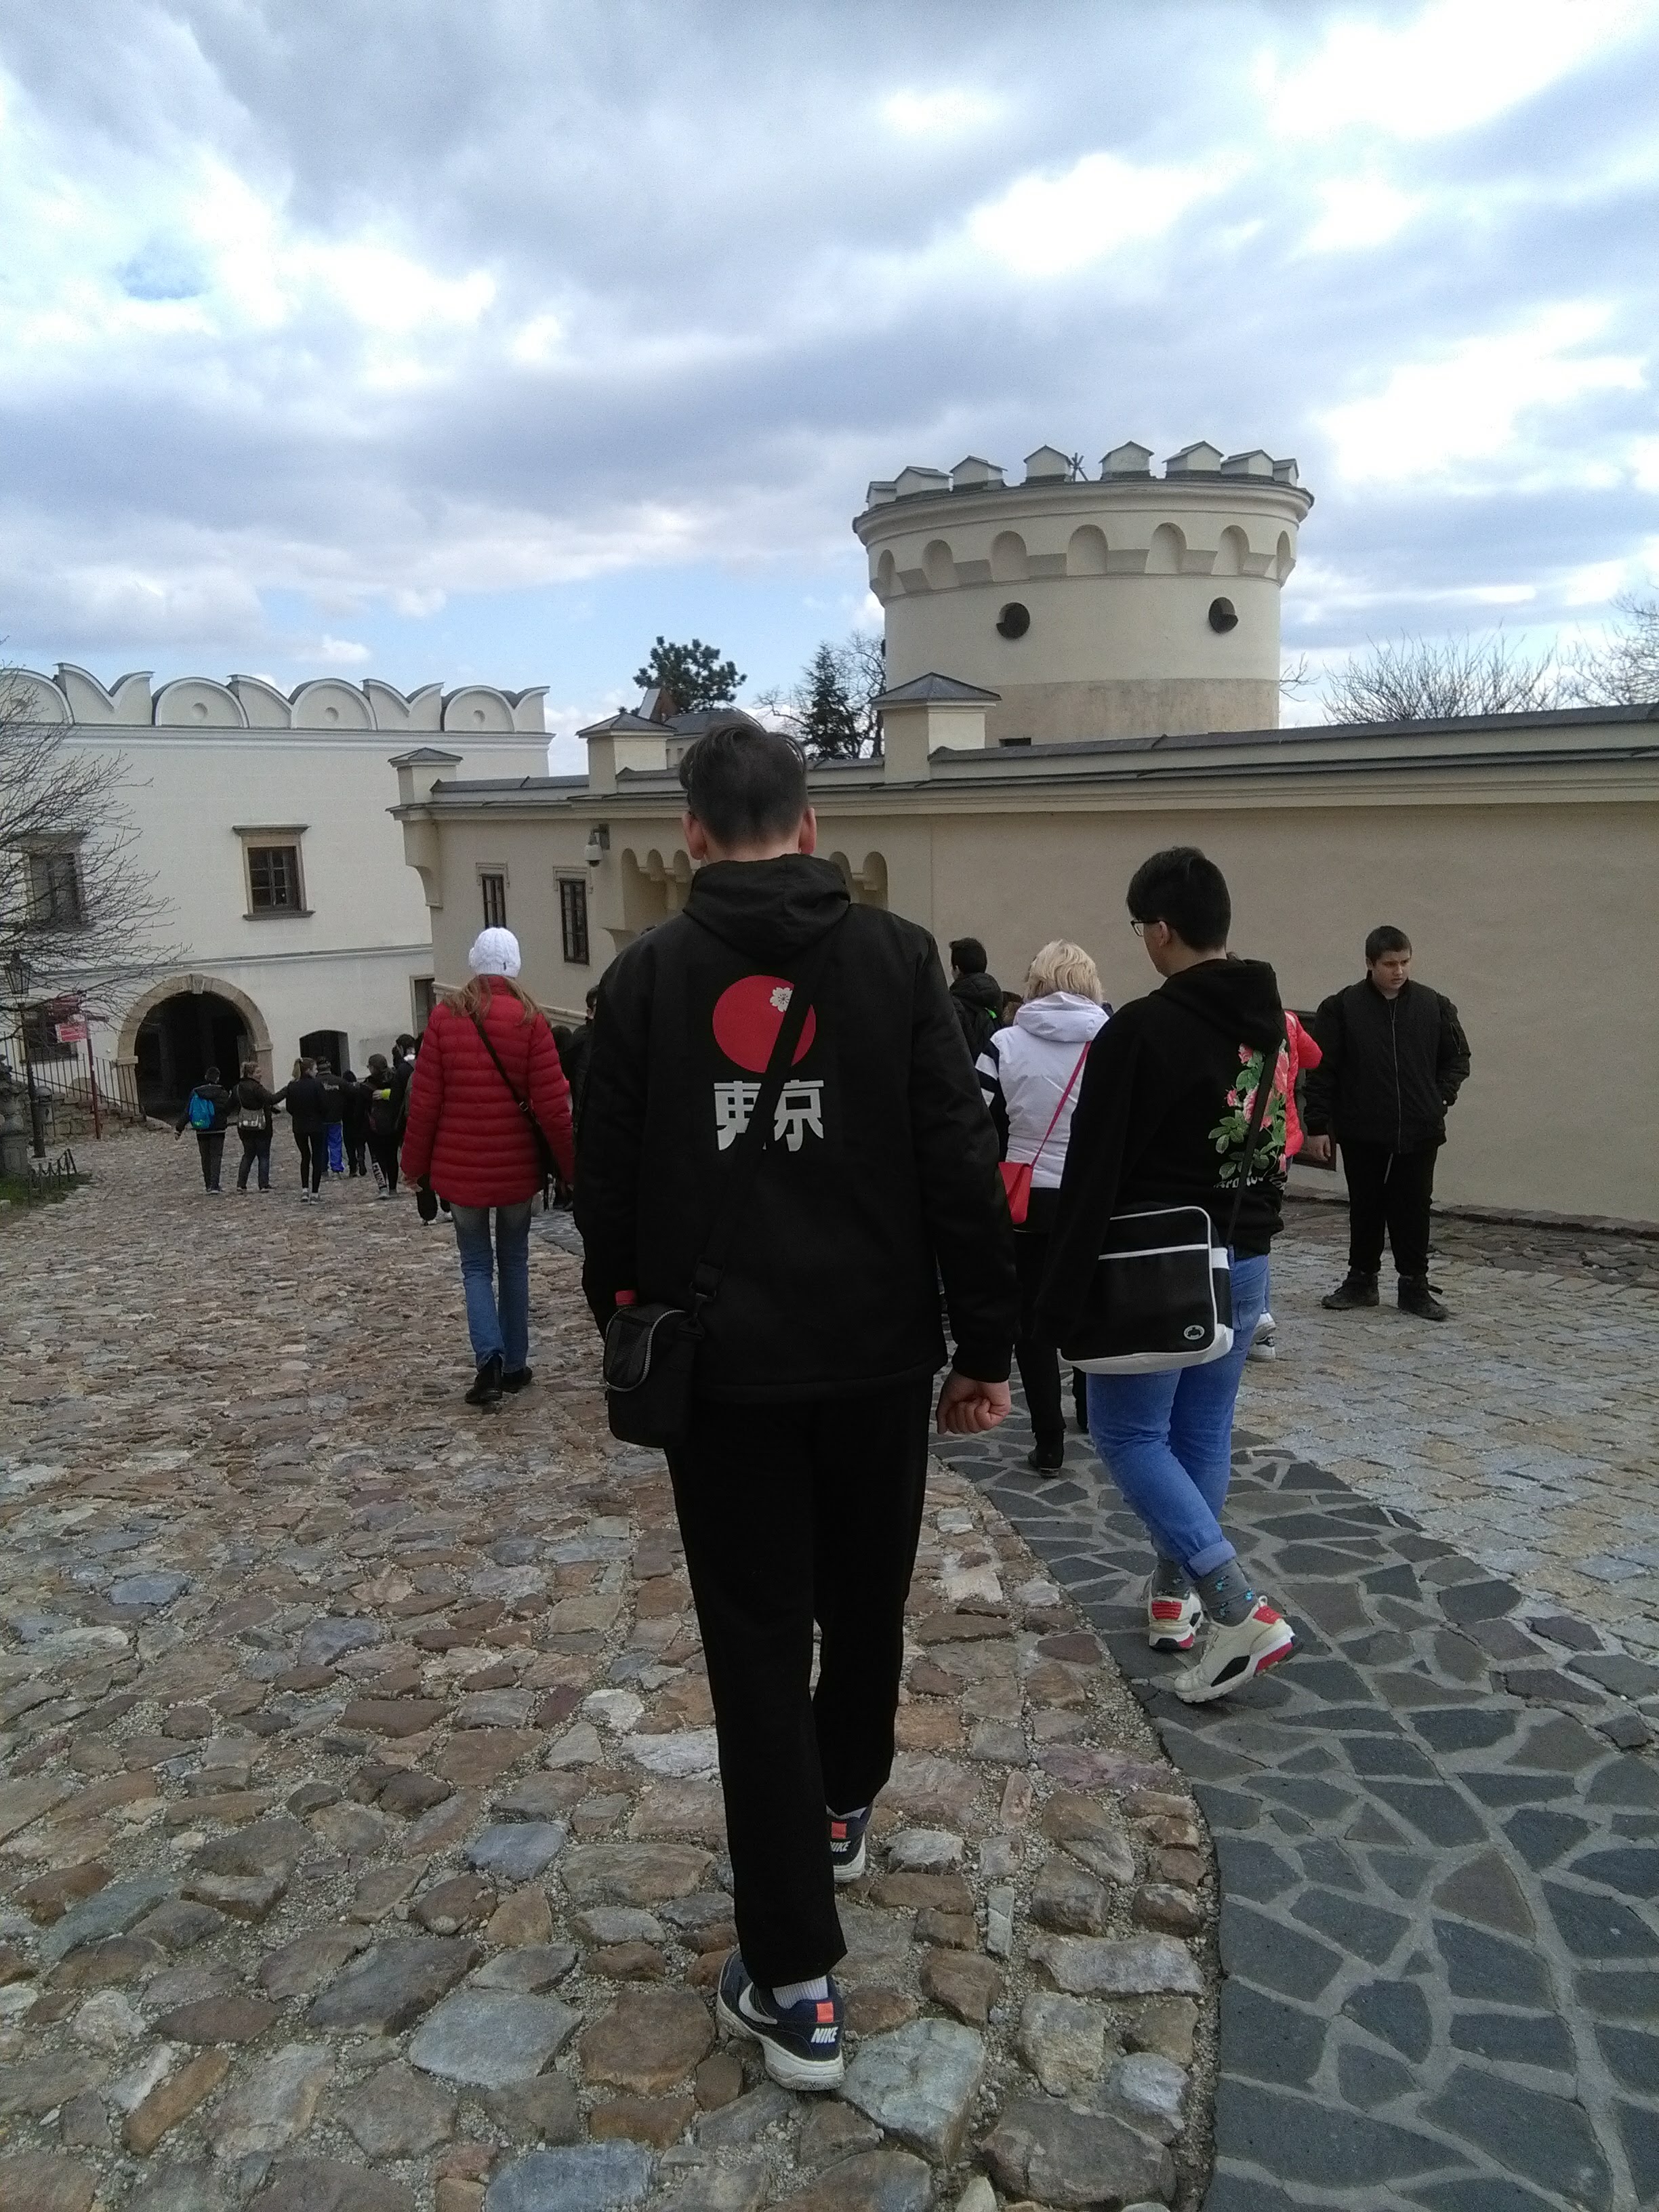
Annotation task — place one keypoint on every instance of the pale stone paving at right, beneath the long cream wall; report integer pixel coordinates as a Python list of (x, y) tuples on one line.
[(1525, 1430)]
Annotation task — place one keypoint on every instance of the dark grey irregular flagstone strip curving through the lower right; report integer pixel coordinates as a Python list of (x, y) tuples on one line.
[(1439, 1870)]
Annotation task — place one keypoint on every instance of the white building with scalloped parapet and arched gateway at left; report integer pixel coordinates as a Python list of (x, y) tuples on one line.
[(262, 820)]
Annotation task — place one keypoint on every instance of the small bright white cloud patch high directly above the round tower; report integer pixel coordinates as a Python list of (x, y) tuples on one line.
[(1052, 227)]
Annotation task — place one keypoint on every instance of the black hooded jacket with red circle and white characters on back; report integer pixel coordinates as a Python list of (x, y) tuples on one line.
[(881, 1173)]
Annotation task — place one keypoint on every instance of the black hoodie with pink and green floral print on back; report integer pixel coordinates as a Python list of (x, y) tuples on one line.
[(1162, 1120)]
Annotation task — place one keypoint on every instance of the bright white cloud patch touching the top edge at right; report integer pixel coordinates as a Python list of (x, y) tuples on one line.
[(1454, 65)]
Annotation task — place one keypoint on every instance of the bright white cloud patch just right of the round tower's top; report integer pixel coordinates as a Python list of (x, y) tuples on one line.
[(1432, 417)]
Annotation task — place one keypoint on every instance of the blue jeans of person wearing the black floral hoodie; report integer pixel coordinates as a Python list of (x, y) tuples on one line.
[(1167, 1439)]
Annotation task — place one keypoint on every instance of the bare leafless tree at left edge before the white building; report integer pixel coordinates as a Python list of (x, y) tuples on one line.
[(79, 915)]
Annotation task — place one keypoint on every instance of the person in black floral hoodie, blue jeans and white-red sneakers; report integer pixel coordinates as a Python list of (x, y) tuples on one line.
[(1162, 1120)]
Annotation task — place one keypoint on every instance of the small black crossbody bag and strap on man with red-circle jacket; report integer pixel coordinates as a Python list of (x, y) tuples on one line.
[(651, 1350)]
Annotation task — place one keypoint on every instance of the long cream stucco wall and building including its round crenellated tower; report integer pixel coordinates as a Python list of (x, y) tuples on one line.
[(1025, 778)]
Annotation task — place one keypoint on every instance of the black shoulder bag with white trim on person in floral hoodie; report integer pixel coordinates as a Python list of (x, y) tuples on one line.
[(1162, 1286)]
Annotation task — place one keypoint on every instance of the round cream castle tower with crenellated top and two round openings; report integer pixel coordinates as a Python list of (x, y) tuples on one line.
[(1125, 605)]
